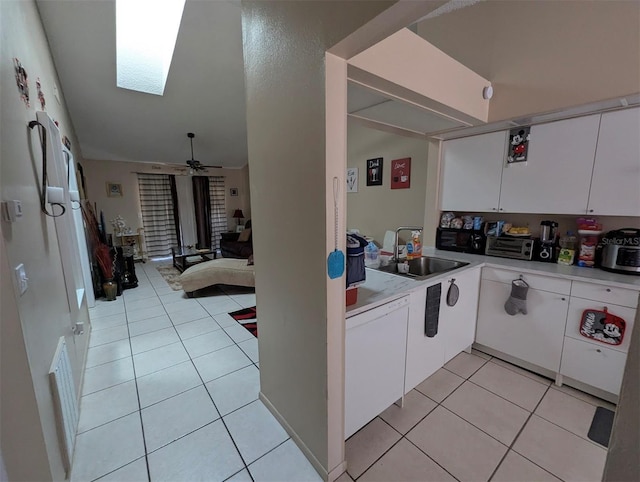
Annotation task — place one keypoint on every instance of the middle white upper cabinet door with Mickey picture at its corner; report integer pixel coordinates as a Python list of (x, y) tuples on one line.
[(557, 175)]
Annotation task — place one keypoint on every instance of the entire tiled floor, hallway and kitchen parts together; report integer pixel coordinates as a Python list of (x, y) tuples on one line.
[(171, 394)]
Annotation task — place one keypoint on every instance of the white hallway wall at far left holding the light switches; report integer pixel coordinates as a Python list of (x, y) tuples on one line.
[(33, 322)]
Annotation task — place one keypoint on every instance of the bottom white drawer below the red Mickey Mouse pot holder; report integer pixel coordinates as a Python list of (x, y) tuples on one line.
[(597, 366)]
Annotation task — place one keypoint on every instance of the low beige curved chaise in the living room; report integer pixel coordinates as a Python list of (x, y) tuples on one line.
[(228, 271)]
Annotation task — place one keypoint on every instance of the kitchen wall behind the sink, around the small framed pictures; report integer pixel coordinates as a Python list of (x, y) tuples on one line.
[(375, 209)]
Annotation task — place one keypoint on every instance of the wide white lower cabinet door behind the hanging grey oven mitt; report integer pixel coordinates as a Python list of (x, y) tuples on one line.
[(535, 337)]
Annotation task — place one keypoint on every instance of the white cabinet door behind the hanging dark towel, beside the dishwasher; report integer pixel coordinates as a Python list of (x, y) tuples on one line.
[(424, 355)]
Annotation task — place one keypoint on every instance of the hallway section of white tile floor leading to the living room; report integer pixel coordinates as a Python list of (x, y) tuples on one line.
[(171, 392)]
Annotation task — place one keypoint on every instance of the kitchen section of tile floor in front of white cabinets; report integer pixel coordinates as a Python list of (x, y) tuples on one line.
[(479, 419)]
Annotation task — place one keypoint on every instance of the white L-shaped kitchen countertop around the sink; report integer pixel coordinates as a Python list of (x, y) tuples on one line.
[(380, 287)]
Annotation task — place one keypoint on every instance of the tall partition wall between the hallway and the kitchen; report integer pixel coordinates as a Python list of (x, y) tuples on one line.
[(284, 50)]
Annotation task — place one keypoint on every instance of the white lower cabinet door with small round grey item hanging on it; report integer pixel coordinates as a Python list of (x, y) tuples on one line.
[(458, 323)]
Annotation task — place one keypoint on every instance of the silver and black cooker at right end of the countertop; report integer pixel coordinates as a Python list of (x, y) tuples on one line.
[(621, 251)]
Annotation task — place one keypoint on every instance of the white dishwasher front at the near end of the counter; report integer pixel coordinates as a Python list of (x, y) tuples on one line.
[(375, 349)]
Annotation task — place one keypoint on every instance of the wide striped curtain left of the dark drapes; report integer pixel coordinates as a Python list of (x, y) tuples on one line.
[(158, 218)]
